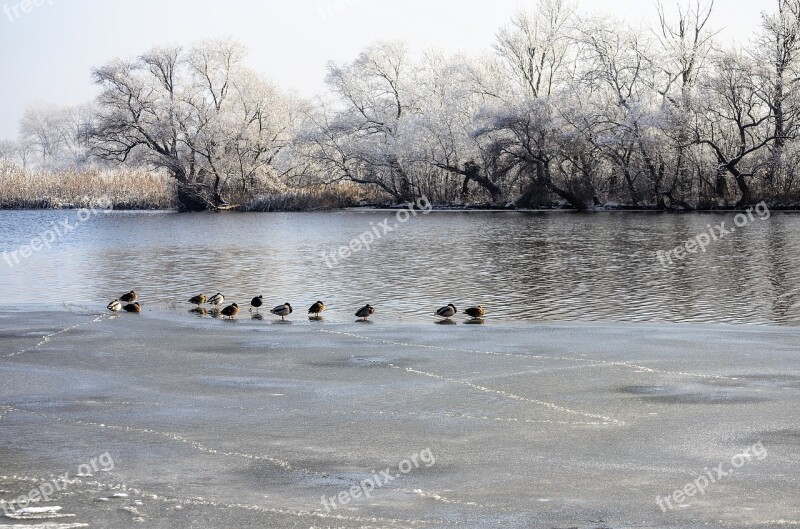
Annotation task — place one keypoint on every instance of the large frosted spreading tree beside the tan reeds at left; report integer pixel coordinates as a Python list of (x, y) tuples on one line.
[(199, 114)]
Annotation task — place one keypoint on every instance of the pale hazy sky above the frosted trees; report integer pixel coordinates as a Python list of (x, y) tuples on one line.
[(48, 47)]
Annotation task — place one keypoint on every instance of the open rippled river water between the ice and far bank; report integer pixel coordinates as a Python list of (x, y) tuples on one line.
[(519, 266)]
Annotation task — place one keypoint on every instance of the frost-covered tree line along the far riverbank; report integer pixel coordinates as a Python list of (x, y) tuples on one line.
[(564, 110)]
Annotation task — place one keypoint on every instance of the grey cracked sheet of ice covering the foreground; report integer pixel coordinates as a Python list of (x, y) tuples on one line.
[(251, 422)]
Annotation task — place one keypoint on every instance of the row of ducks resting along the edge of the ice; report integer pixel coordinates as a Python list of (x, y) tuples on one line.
[(284, 310)]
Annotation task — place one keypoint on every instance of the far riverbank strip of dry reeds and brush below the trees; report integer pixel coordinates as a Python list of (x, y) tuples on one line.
[(142, 190)]
